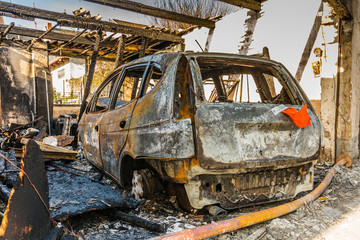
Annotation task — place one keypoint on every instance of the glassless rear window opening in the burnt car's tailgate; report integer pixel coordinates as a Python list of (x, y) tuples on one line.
[(238, 82)]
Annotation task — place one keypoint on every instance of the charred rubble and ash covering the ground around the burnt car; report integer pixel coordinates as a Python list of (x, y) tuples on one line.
[(77, 188)]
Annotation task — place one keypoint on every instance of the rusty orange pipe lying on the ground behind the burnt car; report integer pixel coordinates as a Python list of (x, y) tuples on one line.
[(232, 224)]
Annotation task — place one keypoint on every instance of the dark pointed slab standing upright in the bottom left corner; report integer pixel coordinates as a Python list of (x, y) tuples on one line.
[(28, 205)]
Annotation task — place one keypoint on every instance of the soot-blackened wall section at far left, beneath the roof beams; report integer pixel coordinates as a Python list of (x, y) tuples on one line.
[(17, 85)]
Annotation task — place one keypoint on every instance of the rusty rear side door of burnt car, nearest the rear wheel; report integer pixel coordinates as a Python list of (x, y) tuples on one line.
[(115, 122)]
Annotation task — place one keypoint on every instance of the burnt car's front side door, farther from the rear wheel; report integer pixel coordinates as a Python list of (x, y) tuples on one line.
[(90, 123)]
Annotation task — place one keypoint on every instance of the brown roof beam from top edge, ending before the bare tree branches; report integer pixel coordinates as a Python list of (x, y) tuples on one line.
[(155, 12)]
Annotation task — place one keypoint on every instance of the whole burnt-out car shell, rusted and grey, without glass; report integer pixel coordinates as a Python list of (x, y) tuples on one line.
[(206, 123)]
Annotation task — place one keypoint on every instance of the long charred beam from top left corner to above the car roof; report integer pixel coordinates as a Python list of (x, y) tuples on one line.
[(80, 22)]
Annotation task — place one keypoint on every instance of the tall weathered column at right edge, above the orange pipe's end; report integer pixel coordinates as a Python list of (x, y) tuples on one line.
[(347, 115)]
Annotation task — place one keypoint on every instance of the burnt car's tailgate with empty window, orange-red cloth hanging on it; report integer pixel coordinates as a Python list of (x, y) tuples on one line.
[(237, 124)]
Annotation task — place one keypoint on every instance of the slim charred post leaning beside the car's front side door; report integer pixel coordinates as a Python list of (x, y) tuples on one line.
[(90, 74)]
